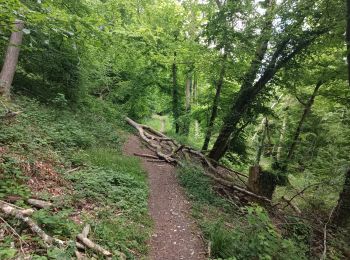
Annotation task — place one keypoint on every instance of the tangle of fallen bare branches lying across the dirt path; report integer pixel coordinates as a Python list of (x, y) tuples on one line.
[(160, 144)]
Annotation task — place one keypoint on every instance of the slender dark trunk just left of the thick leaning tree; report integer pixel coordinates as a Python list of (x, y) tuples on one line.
[(214, 110)]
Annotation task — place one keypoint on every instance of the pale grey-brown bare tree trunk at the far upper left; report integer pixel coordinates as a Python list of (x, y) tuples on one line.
[(11, 59)]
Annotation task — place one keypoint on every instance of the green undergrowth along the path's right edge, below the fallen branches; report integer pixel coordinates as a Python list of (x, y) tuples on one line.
[(231, 235)]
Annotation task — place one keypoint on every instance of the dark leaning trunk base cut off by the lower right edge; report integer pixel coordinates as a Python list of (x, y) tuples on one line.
[(341, 215)]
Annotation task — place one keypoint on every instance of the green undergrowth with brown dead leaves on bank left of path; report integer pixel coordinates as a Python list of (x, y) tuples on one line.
[(71, 157)]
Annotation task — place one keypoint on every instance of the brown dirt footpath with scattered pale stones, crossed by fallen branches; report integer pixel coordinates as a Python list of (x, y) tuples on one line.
[(175, 234)]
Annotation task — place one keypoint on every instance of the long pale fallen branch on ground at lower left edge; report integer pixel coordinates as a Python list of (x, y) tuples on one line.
[(11, 211)]
